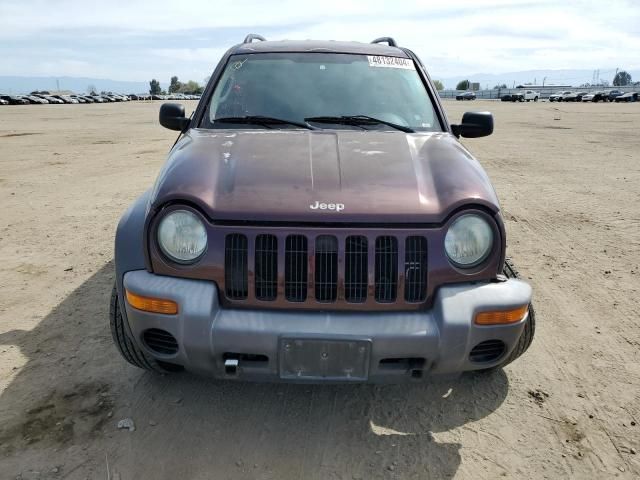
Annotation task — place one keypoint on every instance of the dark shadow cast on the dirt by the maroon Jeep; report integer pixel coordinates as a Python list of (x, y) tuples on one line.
[(60, 412)]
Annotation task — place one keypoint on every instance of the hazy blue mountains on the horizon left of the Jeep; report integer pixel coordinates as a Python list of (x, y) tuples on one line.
[(19, 85)]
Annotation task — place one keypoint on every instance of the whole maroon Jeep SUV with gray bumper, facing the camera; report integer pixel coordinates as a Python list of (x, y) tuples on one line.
[(238, 268)]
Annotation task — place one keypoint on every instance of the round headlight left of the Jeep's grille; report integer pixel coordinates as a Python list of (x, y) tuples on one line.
[(182, 236)]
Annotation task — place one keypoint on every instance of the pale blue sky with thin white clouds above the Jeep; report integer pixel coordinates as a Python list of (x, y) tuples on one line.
[(143, 39)]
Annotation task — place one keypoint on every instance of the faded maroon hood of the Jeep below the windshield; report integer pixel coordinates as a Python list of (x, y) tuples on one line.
[(278, 175)]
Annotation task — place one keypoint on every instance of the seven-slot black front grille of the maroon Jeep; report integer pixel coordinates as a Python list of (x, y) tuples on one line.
[(326, 269)]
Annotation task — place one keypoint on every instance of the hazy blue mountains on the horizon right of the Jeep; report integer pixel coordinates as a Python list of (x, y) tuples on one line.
[(553, 77)]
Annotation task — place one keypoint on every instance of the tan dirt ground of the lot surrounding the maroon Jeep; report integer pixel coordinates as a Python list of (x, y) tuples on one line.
[(568, 176)]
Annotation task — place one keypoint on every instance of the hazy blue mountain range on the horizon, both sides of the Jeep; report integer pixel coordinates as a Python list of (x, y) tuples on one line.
[(19, 85)]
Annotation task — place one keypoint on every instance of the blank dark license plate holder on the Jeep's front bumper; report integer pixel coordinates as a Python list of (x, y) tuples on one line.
[(313, 359)]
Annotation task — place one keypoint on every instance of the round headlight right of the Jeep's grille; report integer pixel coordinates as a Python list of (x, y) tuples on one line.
[(468, 241)]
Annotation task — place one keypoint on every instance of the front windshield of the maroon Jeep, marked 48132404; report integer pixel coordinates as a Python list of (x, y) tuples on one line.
[(297, 86)]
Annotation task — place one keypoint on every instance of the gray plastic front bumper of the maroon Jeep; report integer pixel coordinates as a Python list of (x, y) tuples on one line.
[(277, 345)]
